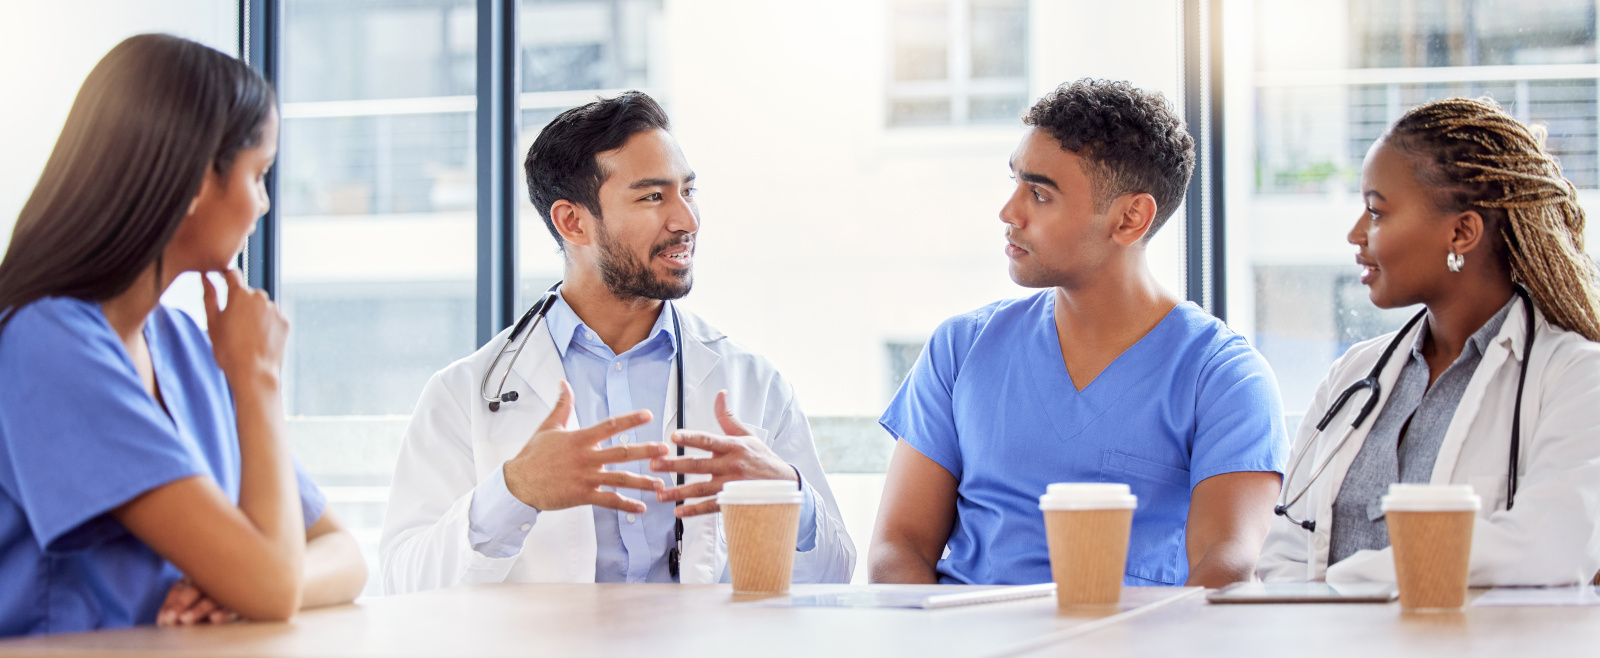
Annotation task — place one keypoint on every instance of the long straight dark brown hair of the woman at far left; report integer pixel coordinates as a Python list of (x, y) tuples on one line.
[(145, 127)]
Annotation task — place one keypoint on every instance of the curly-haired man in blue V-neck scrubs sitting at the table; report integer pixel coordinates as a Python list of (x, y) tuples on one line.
[(1102, 377)]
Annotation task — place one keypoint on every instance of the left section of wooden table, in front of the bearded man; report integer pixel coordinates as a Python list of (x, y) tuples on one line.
[(618, 620)]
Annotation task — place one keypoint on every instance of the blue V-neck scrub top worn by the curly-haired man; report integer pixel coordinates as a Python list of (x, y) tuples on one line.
[(993, 403)]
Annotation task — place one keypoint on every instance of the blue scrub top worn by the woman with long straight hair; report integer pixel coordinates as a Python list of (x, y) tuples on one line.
[(79, 436)]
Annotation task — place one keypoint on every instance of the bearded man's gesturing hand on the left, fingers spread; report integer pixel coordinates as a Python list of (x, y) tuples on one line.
[(561, 468)]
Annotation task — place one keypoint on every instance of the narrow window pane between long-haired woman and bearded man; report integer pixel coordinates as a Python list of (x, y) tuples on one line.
[(377, 206)]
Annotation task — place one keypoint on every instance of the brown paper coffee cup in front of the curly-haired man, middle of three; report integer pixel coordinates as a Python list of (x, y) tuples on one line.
[(1087, 526)]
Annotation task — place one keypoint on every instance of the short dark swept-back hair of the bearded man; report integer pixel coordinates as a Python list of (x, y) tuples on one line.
[(562, 159)]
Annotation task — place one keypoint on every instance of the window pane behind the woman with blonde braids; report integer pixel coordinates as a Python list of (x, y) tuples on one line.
[(1322, 82)]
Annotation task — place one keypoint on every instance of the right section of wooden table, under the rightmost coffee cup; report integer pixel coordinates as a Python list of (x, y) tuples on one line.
[(1194, 628)]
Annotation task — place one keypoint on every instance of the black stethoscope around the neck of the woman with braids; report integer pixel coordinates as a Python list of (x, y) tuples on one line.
[(1375, 391)]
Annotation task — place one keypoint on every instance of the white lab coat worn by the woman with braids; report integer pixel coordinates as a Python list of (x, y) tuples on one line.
[(1550, 537)]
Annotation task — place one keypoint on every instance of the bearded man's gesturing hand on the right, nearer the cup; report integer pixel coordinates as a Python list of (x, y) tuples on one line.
[(735, 457)]
